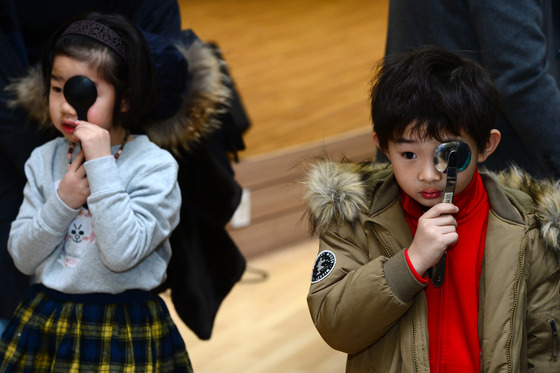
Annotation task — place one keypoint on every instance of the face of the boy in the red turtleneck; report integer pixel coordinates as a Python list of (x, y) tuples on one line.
[(414, 169)]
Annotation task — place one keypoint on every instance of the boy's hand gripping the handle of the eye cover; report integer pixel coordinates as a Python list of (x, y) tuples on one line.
[(437, 229)]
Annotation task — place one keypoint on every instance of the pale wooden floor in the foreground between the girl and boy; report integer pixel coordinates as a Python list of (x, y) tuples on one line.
[(265, 326)]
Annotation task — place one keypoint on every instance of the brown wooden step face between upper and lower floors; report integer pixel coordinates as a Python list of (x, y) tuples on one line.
[(277, 206)]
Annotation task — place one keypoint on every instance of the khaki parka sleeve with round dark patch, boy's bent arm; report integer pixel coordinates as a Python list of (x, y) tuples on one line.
[(354, 305)]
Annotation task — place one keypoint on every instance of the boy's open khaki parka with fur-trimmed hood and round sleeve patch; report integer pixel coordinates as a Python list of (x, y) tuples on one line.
[(370, 305)]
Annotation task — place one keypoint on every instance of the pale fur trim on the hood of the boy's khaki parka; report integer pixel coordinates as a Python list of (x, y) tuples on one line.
[(337, 192)]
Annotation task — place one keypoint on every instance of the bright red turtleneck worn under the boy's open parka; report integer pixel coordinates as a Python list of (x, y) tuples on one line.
[(453, 307)]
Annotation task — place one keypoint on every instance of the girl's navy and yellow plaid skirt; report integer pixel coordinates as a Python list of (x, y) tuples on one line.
[(55, 332)]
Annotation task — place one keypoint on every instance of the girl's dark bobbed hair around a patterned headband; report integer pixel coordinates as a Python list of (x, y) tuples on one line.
[(132, 76)]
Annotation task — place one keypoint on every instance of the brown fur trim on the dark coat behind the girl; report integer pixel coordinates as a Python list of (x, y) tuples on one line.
[(204, 97)]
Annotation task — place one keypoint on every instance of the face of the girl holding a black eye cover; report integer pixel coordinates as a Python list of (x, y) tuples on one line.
[(64, 115)]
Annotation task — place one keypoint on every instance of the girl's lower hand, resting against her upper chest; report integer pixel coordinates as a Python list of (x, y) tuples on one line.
[(73, 189)]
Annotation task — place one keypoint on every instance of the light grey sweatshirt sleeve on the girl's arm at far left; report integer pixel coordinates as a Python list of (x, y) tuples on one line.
[(42, 221)]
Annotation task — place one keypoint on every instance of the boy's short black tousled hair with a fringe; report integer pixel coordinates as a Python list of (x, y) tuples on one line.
[(437, 92)]
